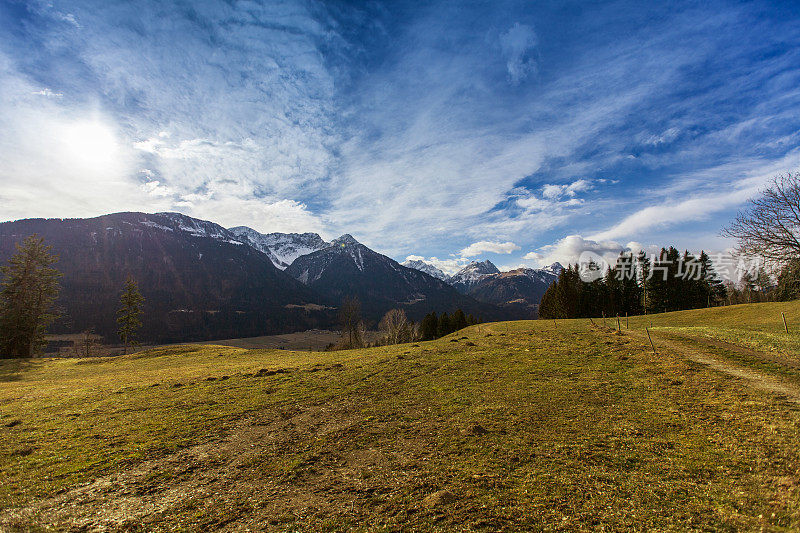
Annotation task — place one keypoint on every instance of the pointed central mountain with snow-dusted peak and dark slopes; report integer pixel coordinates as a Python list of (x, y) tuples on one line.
[(348, 268)]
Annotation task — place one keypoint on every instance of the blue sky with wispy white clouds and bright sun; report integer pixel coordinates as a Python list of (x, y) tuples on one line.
[(520, 132)]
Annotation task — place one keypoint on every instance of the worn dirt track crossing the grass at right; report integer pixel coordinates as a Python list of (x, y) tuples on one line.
[(754, 379)]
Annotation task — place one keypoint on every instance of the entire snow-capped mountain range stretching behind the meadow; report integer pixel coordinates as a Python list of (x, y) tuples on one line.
[(202, 281)]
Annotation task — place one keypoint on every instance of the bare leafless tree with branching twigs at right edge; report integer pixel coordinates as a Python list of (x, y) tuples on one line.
[(770, 227)]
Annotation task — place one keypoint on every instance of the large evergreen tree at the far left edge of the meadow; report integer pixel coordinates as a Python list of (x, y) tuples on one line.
[(27, 294)]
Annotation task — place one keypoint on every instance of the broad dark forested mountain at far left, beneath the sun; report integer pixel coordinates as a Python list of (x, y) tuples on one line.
[(199, 280)]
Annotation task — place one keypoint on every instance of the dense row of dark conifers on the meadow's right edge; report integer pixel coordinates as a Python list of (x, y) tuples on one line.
[(635, 285)]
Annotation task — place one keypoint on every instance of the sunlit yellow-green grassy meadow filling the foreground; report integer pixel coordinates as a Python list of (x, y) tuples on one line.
[(529, 425)]
